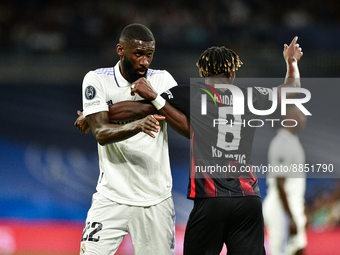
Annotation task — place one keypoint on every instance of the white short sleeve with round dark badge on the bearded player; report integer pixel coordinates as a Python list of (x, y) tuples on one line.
[(93, 95)]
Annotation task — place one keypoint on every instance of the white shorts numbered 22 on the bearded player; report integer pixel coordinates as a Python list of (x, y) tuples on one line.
[(152, 228)]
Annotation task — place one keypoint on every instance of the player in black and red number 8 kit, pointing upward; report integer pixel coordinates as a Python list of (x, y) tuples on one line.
[(227, 205)]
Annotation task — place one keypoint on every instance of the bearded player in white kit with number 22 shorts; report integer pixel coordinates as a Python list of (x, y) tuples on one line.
[(134, 186)]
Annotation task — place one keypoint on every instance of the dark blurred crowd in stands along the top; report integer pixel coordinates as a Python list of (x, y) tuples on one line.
[(64, 25)]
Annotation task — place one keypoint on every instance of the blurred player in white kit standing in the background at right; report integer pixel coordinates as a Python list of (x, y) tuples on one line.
[(284, 205)]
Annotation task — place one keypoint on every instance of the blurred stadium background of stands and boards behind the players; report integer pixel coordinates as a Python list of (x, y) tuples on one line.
[(49, 169)]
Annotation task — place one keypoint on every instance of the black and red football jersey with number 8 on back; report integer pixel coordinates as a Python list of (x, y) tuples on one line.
[(221, 143)]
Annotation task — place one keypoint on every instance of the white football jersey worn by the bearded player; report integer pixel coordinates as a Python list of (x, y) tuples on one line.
[(135, 171)]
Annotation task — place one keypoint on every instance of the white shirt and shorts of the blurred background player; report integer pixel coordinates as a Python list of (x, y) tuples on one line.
[(285, 149)]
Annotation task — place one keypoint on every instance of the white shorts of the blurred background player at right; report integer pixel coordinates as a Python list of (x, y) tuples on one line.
[(277, 226)]
